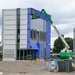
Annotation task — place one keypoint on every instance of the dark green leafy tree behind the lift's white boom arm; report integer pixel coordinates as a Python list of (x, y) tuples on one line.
[(59, 45)]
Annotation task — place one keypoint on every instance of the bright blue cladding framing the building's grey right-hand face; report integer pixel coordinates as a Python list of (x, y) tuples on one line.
[(48, 30)]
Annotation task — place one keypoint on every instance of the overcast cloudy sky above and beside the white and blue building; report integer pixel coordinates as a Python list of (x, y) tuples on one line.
[(62, 12)]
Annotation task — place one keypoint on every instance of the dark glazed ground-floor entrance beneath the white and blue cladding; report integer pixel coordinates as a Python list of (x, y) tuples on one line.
[(26, 55)]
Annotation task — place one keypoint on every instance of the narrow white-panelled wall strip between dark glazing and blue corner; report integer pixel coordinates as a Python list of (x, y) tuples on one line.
[(23, 28)]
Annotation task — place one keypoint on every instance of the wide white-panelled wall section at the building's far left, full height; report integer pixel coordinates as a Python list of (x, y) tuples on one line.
[(9, 34)]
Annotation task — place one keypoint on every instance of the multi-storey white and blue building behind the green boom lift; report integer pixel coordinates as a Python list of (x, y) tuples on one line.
[(23, 37)]
